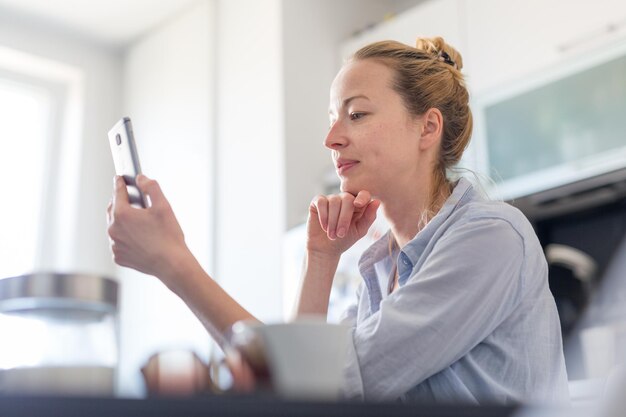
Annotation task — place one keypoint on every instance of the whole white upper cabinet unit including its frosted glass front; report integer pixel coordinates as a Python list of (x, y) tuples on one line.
[(547, 80)]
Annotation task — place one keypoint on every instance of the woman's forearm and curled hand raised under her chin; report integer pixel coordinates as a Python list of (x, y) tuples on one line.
[(334, 224)]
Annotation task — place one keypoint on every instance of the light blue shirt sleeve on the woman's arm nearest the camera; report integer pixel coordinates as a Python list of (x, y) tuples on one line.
[(470, 282)]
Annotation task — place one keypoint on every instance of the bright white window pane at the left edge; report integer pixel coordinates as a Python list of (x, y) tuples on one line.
[(24, 130)]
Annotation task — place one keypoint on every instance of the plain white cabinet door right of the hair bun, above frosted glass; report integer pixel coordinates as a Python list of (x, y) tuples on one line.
[(509, 39)]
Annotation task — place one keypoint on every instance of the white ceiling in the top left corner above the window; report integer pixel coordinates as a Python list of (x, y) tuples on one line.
[(113, 22)]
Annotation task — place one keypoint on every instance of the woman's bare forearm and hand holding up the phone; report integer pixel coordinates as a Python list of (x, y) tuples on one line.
[(151, 241)]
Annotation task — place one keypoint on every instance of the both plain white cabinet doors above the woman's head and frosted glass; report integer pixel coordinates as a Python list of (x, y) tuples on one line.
[(503, 41)]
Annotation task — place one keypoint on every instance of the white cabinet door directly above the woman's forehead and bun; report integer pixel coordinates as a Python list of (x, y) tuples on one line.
[(432, 18)]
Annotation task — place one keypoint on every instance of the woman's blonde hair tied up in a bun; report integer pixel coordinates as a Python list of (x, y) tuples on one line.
[(429, 76)]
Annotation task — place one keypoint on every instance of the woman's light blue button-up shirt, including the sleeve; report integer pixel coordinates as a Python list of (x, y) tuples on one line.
[(473, 320)]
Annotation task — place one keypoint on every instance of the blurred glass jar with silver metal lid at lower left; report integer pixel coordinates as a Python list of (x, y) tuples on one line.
[(59, 334)]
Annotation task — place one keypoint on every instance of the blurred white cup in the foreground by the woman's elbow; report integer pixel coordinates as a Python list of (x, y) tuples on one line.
[(300, 360)]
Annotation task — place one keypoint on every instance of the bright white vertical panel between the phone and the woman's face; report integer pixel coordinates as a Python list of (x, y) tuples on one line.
[(250, 159)]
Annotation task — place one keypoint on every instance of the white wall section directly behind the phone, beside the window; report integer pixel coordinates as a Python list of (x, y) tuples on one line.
[(168, 93)]
